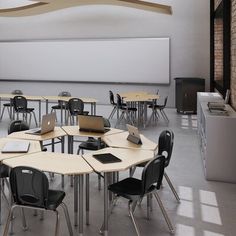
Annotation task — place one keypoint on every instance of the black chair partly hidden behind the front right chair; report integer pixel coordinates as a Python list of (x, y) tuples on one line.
[(165, 147)]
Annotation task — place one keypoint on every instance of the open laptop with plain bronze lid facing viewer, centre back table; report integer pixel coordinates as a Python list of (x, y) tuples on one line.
[(92, 124)]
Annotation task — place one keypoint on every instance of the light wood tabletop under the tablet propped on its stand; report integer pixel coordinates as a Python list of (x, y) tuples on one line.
[(119, 140)]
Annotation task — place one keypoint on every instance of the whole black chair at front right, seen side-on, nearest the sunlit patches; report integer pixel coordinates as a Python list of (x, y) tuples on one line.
[(135, 189)]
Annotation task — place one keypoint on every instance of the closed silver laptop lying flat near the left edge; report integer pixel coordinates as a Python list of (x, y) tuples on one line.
[(16, 147)]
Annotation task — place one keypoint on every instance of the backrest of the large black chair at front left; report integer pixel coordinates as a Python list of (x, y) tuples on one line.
[(29, 186)]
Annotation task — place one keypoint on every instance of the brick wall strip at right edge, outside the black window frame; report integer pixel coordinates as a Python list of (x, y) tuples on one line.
[(233, 54)]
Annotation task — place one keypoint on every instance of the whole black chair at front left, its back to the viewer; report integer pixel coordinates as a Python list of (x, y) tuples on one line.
[(30, 189)]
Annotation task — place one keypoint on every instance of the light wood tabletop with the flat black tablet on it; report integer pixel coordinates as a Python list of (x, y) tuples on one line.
[(129, 158)]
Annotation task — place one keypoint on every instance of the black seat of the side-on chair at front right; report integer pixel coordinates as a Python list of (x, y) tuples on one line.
[(129, 188)]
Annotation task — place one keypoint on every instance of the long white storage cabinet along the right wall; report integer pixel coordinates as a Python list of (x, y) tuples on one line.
[(217, 138)]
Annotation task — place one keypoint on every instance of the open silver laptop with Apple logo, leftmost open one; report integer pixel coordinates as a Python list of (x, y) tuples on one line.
[(48, 125)]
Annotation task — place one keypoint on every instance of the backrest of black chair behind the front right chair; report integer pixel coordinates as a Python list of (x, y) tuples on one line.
[(165, 145)]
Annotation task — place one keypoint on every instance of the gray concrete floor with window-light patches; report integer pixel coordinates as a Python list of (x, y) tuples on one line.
[(206, 208)]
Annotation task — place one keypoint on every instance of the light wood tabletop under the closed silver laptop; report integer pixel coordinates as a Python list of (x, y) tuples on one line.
[(34, 147)]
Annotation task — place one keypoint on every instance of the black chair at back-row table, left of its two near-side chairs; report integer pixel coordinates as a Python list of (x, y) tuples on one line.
[(20, 105)]
